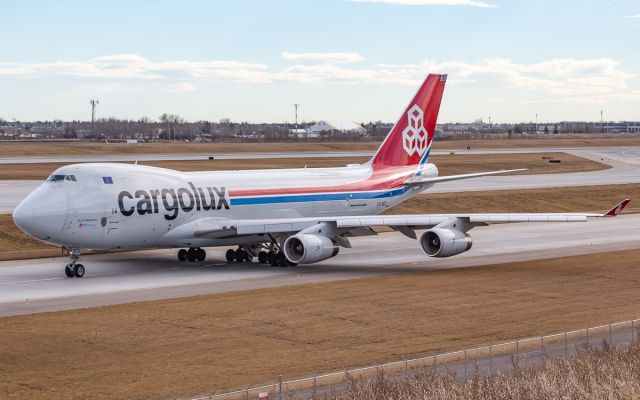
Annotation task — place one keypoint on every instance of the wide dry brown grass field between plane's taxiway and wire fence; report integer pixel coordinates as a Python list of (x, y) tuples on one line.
[(194, 345)]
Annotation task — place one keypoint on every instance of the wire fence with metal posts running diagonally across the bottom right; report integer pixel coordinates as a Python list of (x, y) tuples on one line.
[(505, 357)]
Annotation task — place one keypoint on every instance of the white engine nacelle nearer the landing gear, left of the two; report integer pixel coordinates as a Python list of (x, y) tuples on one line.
[(308, 248)]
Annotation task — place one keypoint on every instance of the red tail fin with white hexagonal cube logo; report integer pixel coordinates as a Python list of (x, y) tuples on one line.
[(409, 142)]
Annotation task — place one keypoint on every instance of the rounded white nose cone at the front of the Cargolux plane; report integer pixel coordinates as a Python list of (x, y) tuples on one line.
[(43, 213)]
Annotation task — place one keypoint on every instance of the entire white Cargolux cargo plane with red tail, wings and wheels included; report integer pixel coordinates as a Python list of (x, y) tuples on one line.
[(284, 217)]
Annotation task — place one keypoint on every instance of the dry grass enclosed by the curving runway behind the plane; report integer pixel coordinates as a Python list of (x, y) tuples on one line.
[(448, 165)]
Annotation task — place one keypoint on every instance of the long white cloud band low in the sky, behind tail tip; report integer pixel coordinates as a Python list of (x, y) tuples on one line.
[(569, 79)]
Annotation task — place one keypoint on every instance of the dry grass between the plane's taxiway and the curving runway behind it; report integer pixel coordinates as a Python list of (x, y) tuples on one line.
[(16, 245)]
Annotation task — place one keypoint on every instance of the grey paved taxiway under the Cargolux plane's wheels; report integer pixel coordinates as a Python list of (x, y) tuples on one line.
[(33, 286)]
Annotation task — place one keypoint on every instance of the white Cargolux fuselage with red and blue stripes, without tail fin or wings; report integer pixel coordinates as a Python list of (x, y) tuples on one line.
[(131, 206)]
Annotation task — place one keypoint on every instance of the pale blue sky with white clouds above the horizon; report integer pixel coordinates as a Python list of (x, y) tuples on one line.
[(359, 60)]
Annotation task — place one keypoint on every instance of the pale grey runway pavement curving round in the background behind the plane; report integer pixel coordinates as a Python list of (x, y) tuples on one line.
[(624, 162)]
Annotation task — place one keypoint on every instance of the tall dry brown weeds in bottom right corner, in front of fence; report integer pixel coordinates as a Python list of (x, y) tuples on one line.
[(607, 373)]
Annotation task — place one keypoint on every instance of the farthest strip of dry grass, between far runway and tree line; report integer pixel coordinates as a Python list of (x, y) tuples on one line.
[(90, 148)]
